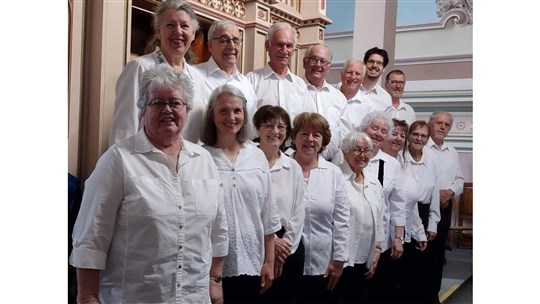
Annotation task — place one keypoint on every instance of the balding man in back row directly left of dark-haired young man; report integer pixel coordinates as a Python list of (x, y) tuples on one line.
[(358, 105)]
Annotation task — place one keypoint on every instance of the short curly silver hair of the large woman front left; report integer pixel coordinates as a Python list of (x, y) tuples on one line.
[(164, 76)]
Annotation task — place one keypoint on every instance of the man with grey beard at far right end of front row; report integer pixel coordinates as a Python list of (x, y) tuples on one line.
[(450, 184)]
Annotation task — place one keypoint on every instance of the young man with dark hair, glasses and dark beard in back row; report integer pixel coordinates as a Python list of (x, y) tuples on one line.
[(376, 60)]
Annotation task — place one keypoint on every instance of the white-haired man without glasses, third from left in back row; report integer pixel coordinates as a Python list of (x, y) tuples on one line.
[(274, 84)]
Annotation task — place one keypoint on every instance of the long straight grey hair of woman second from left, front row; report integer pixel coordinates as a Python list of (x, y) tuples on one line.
[(209, 131)]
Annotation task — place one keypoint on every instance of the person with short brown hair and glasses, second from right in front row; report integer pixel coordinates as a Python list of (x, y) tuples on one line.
[(420, 188)]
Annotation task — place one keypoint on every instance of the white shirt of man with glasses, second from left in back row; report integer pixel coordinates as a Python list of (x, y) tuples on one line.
[(215, 77)]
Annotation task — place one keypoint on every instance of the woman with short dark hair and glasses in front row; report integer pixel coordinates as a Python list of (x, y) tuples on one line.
[(273, 126)]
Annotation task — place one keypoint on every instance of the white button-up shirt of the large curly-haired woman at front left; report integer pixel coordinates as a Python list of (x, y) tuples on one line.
[(151, 231)]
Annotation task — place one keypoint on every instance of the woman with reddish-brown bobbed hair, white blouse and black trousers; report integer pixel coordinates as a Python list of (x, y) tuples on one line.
[(326, 226)]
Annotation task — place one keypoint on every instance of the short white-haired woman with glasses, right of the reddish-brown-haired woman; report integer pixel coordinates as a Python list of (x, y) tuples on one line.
[(367, 202)]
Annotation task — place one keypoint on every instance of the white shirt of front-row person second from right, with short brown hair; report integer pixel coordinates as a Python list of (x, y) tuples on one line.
[(421, 186)]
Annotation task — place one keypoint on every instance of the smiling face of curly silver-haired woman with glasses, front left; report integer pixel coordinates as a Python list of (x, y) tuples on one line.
[(161, 124)]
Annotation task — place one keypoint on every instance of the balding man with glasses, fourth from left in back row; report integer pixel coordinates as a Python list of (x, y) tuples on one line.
[(330, 102)]
